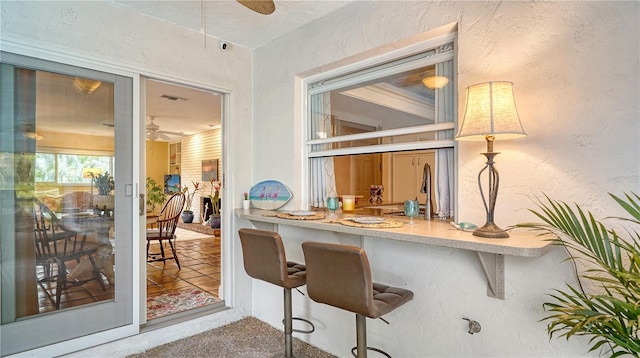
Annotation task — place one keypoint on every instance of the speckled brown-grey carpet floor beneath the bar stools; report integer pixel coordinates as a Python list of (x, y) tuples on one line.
[(247, 338)]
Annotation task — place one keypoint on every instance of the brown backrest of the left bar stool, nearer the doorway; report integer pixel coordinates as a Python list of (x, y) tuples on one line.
[(264, 256)]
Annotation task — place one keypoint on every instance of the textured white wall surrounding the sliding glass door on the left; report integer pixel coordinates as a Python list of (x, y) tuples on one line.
[(108, 36)]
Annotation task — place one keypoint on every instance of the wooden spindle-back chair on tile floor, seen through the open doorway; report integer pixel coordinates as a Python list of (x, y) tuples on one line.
[(165, 229)]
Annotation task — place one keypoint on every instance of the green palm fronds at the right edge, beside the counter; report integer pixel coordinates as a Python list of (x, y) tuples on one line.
[(609, 317)]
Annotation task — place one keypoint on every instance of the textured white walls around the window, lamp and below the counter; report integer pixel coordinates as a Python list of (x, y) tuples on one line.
[(575, 69)]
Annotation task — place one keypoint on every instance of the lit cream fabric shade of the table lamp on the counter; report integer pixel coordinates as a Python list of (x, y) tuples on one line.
[(490, 111)]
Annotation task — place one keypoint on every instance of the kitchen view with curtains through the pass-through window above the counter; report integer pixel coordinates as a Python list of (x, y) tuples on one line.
[(367, 123)]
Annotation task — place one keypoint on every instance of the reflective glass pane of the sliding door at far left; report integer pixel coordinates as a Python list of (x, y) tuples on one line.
[(62, 125)]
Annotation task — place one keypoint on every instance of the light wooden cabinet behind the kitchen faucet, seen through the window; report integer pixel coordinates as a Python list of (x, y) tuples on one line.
[(407, 174)]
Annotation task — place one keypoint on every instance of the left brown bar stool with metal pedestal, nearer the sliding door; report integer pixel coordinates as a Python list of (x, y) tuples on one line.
[(264, 259)]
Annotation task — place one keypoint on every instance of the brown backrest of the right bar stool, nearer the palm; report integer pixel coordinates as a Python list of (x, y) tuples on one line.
[(339, 275)]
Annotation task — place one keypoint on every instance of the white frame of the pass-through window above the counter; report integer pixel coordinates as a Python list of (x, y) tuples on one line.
[(403, 49)]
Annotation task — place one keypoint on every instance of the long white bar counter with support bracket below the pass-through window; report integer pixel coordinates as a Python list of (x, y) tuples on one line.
[(521, 243)]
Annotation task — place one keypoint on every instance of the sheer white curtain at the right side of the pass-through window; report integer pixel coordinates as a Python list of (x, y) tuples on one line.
[(444, 185)]
